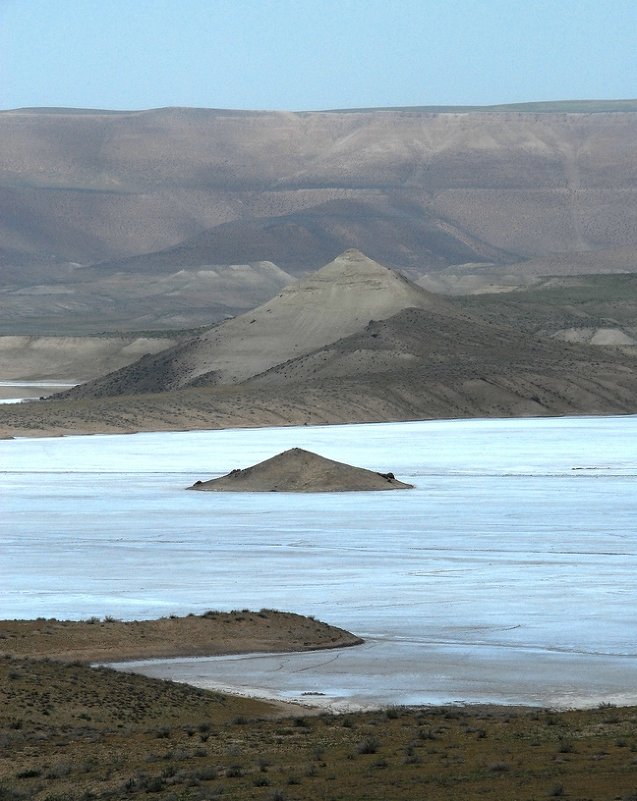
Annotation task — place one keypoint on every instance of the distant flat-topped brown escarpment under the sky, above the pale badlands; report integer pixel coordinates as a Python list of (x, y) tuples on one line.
[(89, 186)]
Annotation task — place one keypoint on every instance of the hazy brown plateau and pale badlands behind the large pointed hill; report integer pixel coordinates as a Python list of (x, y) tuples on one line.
[(175, 218)]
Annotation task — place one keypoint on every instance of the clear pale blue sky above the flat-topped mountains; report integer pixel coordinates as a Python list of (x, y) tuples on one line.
[(313, 54)]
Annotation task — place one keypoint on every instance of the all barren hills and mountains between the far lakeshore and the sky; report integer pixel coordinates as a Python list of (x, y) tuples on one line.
[(180, 236)]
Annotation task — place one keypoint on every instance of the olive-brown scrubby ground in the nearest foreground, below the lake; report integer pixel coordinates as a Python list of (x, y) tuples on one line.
[(69, 732)]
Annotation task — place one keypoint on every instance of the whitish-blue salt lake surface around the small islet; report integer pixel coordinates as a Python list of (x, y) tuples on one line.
[(506, 575)]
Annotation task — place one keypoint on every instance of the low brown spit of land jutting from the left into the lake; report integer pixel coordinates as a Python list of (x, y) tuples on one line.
[(211, 634)]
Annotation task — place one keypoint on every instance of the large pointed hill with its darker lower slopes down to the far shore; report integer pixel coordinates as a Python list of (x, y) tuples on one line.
[(356, 341)]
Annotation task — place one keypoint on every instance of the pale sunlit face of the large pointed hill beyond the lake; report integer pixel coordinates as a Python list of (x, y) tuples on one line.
[(335, 302)]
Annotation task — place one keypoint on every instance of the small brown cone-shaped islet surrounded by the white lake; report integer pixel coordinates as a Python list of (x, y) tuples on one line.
[(298, 470)]
